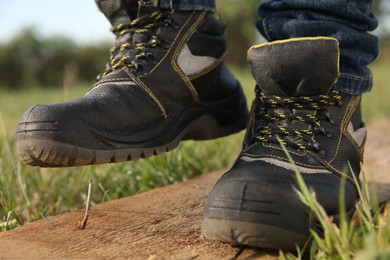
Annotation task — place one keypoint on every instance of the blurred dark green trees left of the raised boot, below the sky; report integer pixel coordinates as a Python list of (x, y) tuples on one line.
[(30, 61)]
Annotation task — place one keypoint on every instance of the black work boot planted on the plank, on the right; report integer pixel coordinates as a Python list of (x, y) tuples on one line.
[(256, 203)]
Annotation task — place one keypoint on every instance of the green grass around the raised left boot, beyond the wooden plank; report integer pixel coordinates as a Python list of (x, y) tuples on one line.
[(31, 193)]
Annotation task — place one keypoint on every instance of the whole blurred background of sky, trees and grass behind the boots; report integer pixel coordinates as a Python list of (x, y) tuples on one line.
[(51, 51)]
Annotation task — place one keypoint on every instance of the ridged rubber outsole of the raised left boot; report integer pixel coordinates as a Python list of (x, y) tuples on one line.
[(49, 153)]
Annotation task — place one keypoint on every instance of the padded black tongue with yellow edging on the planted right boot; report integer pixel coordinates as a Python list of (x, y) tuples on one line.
[(296, 67)]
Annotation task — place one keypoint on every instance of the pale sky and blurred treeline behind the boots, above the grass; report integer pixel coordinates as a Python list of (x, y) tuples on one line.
[(50, 43)]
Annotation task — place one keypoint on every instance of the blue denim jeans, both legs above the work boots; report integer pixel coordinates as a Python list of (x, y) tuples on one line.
[(346, 20)]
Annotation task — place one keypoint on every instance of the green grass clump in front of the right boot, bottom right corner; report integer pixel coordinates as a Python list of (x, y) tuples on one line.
[(367, 236)]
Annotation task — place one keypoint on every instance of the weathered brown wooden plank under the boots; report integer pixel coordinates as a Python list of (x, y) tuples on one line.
[(160, 224)]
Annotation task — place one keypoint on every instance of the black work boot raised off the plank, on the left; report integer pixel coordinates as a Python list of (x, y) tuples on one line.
[(165, 83)]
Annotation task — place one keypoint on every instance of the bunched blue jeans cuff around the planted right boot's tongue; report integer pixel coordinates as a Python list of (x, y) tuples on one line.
[(357, 48)]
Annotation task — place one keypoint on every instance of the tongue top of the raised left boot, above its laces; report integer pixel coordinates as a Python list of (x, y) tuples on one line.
[(114, 10)]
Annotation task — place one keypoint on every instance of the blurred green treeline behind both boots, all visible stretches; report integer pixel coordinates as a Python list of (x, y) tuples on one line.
[(29, 60)]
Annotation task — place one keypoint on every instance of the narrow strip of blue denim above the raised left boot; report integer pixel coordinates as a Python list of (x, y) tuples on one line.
[(208, 5)]
